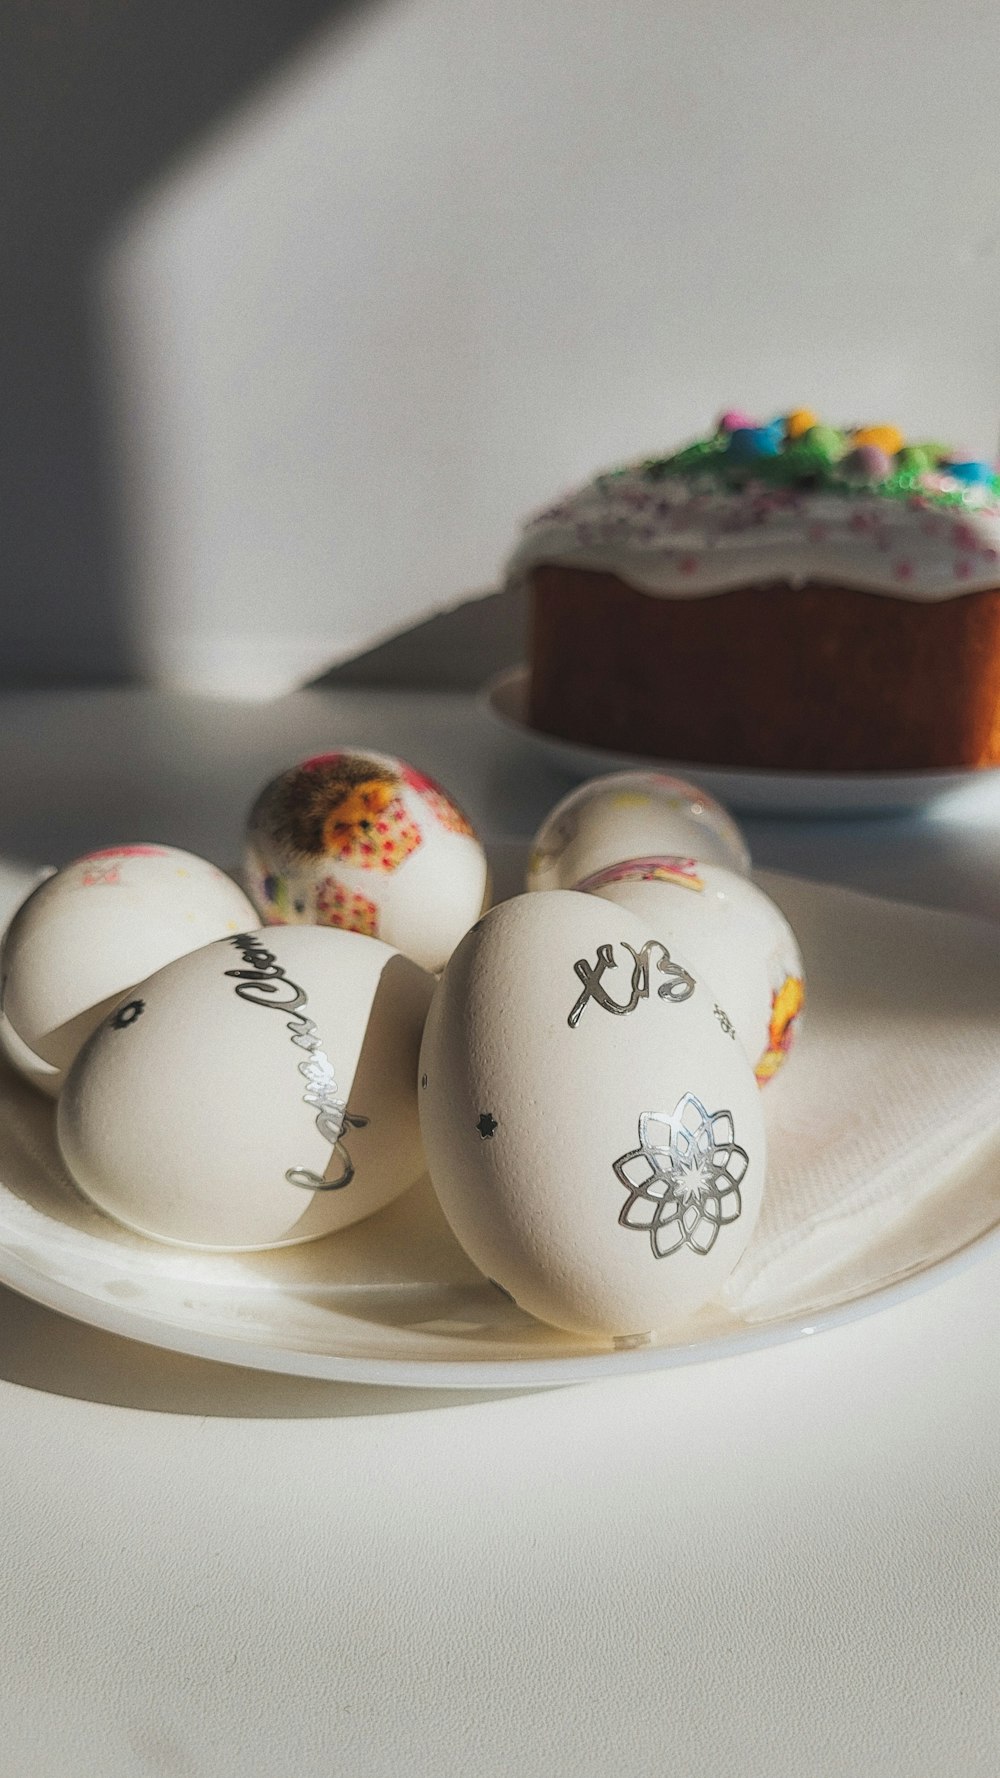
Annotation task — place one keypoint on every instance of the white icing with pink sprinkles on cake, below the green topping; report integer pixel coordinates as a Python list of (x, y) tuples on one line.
[(688, 538)]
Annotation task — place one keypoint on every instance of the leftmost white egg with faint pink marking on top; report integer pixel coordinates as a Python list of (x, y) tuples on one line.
[(93, 929)]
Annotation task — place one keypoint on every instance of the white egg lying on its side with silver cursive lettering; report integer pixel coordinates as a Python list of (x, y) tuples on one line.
[(254, 1094)]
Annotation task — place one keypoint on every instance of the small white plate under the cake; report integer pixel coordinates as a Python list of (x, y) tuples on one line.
[(748, 789)]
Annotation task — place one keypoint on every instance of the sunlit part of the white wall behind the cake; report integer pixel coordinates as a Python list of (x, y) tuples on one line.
[(467, 252)]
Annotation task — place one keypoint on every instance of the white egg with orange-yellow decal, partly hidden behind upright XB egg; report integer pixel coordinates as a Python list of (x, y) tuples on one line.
[(729, 933)]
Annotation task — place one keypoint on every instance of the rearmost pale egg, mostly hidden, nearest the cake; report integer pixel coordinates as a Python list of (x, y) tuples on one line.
[(633, 815)]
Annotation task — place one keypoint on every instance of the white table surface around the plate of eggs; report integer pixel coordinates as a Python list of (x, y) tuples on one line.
[(775, 1567)]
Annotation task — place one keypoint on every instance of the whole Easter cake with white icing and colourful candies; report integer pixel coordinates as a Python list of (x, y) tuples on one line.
[(787, 595)]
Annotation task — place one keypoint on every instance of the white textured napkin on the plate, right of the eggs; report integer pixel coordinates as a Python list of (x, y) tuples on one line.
[(885, 1123)]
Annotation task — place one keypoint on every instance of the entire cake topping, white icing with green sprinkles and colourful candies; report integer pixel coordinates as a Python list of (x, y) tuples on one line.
[(732, 511)]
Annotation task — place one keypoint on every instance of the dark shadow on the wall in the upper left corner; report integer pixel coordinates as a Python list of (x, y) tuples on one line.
[(95, 102)]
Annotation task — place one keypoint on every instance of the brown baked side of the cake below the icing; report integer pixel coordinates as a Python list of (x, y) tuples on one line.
[(794, 678)]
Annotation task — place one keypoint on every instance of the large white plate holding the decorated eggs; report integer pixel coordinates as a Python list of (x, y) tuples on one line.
[(394, 1301)]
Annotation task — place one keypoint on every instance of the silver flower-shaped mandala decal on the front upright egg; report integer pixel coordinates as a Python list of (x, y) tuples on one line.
[(684, 1180)]
